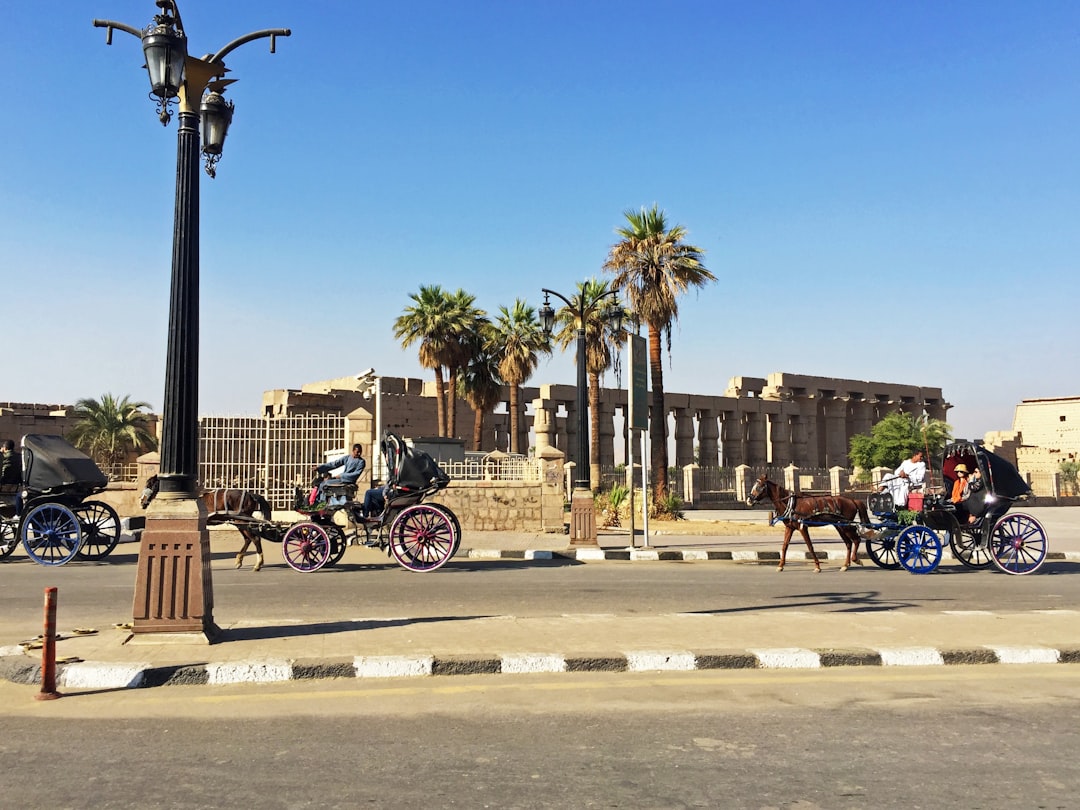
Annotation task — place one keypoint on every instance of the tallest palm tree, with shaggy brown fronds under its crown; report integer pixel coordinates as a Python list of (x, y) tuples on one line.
[(655, 266)]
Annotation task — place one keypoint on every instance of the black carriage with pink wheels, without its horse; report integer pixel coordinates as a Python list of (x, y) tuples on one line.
[(421, 537)]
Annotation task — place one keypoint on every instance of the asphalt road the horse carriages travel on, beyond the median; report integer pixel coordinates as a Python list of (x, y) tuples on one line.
[(368, 585)]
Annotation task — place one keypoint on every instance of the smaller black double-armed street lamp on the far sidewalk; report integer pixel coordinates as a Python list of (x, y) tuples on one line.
[(583, 512)]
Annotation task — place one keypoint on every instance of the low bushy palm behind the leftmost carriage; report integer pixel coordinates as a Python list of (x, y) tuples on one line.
[(109, 430)]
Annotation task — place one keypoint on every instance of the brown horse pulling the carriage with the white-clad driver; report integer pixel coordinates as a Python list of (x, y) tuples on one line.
[(796, 511)]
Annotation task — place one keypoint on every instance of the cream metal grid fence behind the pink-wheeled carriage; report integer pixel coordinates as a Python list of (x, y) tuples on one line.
[(268, 455)]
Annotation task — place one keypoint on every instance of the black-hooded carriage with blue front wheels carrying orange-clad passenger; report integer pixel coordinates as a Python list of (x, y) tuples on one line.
[(979, 529)]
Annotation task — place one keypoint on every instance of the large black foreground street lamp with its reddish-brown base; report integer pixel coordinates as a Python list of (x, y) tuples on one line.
[(174, 590)]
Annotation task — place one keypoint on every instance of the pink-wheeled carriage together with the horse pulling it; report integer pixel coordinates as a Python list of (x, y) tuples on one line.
[(421, 537)]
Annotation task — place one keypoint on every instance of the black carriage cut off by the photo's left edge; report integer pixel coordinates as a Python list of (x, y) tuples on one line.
[(57, 523)]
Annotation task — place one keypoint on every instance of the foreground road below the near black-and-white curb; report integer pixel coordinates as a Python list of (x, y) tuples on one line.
[(975, 738)]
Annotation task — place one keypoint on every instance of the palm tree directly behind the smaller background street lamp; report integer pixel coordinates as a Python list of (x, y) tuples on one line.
[(601, 340)]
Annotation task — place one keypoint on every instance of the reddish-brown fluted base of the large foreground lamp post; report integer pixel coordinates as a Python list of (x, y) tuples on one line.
[(173, 589)]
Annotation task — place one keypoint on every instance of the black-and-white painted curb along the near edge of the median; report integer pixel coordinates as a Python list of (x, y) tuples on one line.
[(101, 676)]
